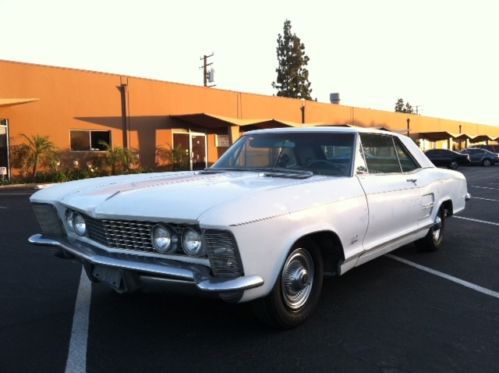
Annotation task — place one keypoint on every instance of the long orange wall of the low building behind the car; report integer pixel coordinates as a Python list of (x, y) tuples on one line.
[(76, 99)]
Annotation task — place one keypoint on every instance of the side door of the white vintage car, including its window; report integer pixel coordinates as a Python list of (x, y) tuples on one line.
[(392, 190)]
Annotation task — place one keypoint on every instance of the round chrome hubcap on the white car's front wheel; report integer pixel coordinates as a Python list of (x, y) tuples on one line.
[(297, 279)]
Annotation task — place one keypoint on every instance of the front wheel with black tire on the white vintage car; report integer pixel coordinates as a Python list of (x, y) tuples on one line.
[(296, 291)]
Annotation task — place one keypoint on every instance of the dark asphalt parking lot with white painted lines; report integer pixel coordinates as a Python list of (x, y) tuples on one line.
[(406, 312)]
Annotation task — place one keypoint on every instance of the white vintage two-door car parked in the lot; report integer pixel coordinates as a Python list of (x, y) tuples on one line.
[(280, 209)]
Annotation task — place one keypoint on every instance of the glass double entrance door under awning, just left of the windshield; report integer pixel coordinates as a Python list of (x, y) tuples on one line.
[(189, 151)]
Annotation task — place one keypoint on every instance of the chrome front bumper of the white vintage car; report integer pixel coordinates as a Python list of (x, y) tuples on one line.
[(165, 269)]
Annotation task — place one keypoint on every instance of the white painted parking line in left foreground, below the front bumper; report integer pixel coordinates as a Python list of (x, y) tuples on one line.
[(77, 355)]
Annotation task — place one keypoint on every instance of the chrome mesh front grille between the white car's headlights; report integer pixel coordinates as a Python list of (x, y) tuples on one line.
[(121, 234)]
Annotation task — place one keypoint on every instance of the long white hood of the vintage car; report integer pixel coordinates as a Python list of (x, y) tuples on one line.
[(181, 196)]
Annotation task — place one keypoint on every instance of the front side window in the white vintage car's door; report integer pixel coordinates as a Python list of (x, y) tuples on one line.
[(380, 154)]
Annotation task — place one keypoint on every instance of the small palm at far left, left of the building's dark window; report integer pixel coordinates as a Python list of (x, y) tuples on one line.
[(38, 151)]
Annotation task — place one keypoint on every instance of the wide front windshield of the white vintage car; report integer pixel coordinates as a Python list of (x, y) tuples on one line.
[(290, 153)]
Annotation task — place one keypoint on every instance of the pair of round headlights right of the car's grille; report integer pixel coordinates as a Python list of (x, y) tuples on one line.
[(163, 241)]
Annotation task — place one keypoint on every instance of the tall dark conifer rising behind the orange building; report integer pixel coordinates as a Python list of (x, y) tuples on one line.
[(292, 74)]
